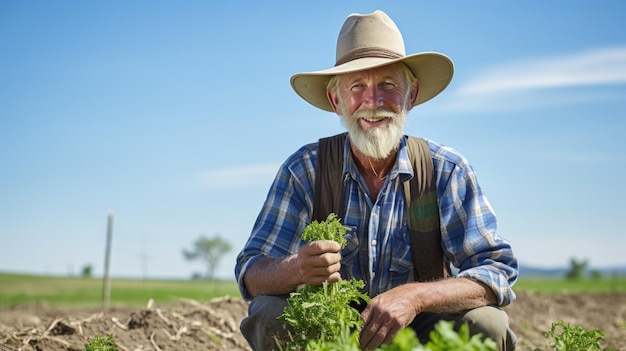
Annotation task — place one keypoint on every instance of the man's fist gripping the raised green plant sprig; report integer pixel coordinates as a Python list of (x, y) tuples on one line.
[(319, 261)]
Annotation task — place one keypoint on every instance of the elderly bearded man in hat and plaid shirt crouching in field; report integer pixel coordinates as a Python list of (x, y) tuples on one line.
[(372, 87)]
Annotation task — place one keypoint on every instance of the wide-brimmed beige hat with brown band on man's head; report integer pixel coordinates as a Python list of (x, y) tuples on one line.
[(370, 41)]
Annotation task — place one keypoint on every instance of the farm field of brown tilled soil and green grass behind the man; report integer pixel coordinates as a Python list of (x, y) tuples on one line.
[(54, 313)]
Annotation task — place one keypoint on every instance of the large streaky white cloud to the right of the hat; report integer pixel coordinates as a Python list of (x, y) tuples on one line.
[(544, 81)]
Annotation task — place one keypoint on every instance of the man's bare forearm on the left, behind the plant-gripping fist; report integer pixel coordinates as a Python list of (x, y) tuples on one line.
[(272, 276)]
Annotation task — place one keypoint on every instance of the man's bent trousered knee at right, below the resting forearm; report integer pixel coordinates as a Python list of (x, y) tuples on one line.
[(493, 323)]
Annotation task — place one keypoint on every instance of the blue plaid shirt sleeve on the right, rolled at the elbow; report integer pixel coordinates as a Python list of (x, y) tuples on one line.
[(468, 227)]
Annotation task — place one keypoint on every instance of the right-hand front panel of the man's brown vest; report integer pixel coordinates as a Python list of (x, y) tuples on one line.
[(423, 214)]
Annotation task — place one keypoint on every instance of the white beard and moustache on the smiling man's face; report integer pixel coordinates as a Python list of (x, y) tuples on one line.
[(377, 143)]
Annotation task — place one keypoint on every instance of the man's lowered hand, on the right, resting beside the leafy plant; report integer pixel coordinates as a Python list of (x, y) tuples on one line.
[(386, 315)]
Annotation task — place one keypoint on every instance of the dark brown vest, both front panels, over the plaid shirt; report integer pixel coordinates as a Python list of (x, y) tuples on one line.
[(420, 195)]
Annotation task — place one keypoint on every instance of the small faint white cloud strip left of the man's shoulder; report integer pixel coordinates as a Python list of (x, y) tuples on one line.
[(243, 176)]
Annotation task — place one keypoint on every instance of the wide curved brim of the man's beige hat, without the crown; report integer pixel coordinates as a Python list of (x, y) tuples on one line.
[(433, 71)]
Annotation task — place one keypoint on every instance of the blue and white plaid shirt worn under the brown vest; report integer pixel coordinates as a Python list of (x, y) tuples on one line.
[(378, 250)]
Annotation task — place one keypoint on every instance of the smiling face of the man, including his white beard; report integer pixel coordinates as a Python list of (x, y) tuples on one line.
[(373, 105)]
